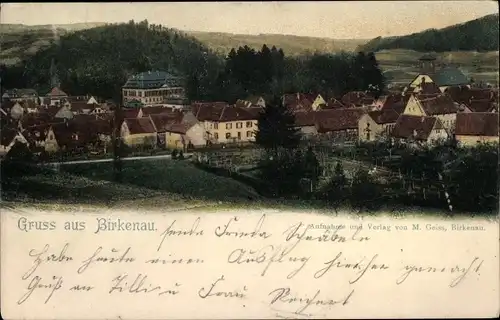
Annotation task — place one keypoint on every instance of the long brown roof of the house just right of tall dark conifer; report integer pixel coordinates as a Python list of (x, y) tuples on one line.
[(338, 119)]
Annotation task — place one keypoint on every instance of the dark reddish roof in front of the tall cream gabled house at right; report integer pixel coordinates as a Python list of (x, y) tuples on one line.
[(415, 127)]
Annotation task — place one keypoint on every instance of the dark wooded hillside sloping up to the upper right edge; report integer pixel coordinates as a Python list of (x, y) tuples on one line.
[(476, 35)]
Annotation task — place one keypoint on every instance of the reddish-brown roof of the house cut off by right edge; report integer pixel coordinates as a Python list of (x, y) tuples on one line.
[(477, 124)]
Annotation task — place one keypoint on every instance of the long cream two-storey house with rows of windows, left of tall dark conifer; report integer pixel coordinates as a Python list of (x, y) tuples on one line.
[(226, 124)]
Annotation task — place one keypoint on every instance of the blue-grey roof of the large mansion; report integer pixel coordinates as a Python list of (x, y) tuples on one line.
[(153, 80)]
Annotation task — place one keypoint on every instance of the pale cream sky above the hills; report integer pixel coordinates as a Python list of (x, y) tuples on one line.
[(341, 20)]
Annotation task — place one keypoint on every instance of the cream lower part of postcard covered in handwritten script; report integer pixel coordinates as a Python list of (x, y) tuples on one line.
[(244, 265)]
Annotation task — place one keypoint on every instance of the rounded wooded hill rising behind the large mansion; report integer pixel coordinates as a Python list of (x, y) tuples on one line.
[(99, 60)]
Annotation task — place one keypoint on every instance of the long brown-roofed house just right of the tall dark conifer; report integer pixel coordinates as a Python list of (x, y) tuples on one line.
[(338, 125)]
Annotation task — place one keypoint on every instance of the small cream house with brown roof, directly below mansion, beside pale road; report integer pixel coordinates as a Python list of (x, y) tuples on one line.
[(137, 132)]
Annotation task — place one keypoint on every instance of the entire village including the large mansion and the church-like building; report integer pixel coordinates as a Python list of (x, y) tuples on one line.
[(156, 116)]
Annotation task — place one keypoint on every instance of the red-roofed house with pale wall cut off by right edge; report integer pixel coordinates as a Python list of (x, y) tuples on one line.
[(476, 127)]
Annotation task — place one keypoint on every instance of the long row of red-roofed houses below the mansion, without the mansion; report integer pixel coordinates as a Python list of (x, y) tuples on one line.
[(415, 116)]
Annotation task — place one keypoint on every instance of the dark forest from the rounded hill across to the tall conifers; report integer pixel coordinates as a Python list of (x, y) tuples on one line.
[(98, 61)]
